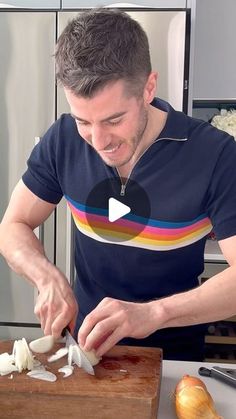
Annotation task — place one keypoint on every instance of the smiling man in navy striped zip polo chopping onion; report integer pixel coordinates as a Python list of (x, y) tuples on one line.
[(144, 290)]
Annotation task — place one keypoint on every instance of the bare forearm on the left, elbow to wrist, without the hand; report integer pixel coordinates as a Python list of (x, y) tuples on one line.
[(25, 254)]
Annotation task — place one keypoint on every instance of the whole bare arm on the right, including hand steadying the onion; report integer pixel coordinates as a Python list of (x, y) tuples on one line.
[(112, 319)]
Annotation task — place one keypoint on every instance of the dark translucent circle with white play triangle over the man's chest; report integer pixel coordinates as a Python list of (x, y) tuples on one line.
[(124, 193)]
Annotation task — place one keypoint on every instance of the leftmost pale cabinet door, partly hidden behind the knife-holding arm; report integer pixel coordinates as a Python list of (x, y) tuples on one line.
[(27, 109)]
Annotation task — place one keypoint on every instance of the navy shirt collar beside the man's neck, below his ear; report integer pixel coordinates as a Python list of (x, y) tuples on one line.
[(176, 126)]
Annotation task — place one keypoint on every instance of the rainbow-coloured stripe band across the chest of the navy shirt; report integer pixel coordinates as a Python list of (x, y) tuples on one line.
[(154, 235)]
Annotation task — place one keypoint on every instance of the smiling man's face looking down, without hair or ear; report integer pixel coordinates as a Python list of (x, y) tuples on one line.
[(112, 122)]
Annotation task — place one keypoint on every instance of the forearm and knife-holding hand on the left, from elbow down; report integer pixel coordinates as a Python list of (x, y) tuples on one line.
[(56, 306)]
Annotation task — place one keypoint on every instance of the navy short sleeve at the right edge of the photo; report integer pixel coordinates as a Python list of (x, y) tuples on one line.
[(221, 204)]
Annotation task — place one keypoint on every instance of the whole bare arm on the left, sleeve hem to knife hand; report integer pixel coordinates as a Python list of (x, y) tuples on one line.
[(56, 305)]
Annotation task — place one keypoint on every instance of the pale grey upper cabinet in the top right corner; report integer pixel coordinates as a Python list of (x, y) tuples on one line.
[(215, 50)]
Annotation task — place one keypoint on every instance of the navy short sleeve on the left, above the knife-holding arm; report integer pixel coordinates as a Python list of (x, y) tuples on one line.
[(41, 175)]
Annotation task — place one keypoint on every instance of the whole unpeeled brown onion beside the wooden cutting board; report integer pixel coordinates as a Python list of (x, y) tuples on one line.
[(193, 401)]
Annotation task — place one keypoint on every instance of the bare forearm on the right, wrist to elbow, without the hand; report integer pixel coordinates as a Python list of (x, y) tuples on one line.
[(214, 300)]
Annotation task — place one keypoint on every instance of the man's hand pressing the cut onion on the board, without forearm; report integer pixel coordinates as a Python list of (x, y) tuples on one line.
[(112, 320)]
